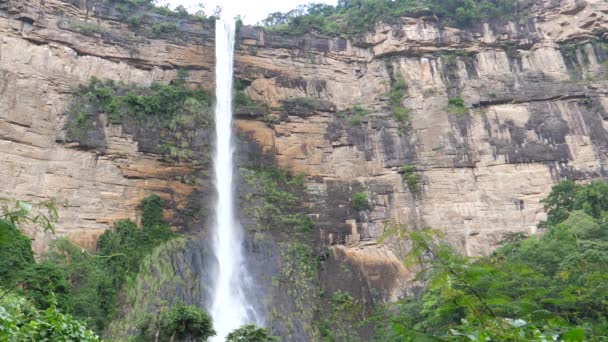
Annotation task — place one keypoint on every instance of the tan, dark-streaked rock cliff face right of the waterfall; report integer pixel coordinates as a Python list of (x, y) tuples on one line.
[(535, 92)]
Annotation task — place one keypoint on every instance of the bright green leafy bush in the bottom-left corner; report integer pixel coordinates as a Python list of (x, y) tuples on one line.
[(22, 321)]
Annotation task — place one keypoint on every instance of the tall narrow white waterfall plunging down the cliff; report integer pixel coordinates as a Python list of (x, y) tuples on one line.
[(230, 308)]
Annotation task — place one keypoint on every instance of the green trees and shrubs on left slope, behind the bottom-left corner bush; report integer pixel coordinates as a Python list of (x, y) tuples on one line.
[(80, 283)]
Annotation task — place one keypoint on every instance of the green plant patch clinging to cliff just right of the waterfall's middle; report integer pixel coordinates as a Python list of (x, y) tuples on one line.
[(278, 198)]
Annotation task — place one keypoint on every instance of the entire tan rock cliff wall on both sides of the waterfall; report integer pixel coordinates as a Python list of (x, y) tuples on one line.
[(497, 113)]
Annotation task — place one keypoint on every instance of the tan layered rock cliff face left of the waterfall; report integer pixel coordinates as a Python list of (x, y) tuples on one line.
[(43, 56)]
